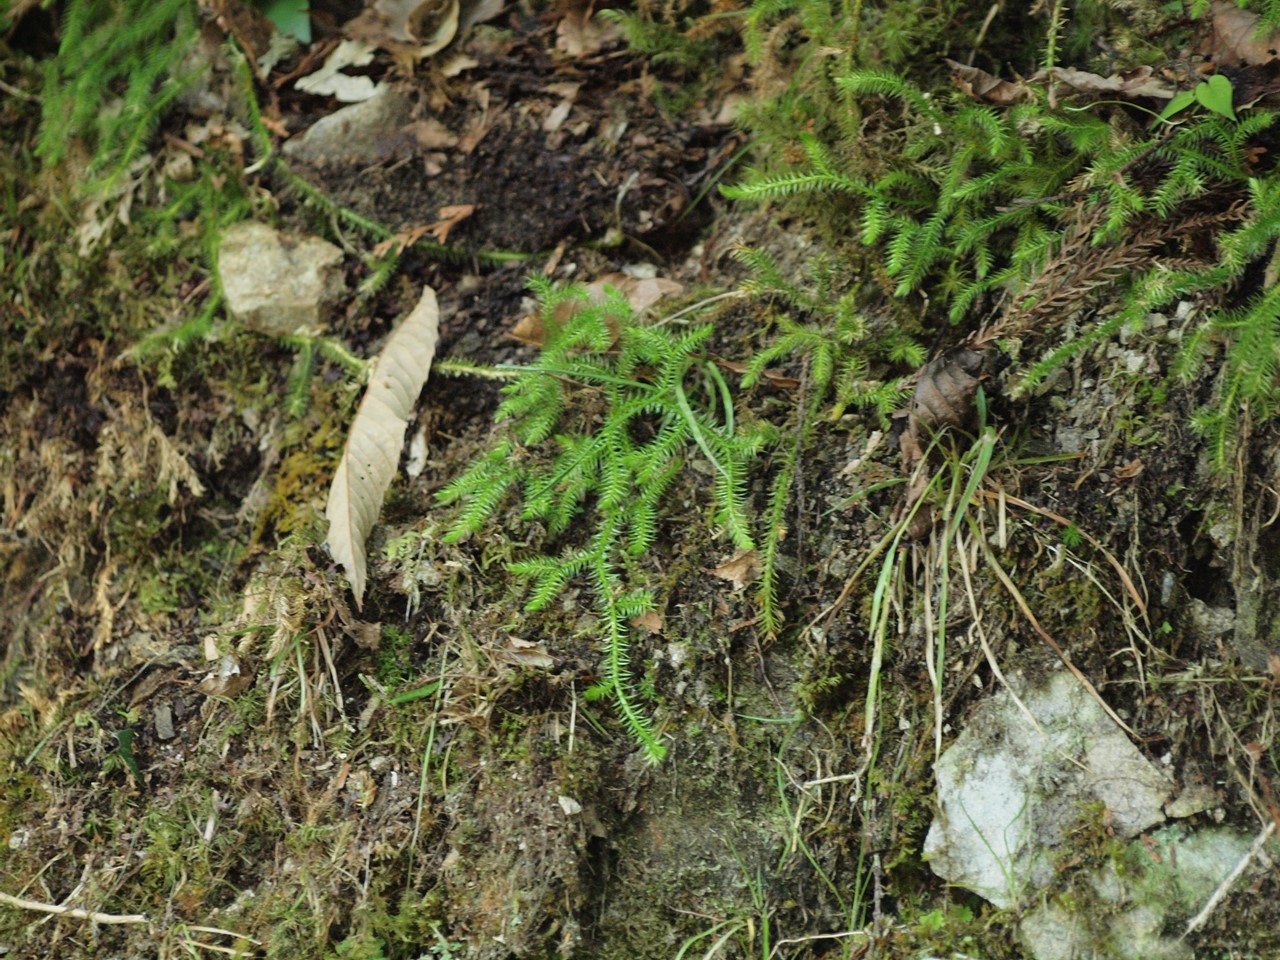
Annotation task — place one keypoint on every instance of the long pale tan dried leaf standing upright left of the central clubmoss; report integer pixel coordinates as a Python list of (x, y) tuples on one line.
[(377, 435)]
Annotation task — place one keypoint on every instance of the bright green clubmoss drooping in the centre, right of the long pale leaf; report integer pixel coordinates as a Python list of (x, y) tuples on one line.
[(601, 427)]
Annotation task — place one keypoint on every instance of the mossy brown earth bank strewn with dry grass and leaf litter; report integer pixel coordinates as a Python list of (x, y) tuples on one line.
[(211, 748)]
